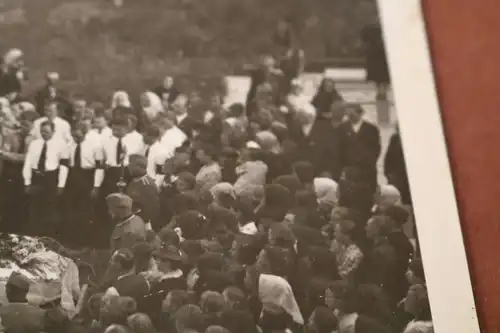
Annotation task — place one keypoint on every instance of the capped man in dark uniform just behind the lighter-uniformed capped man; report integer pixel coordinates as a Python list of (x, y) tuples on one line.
[(143, 191)]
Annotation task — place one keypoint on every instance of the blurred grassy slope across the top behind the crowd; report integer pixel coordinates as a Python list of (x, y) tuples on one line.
[(98, 48)]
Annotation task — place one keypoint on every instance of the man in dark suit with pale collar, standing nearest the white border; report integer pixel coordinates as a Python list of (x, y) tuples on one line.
[(360, 148)]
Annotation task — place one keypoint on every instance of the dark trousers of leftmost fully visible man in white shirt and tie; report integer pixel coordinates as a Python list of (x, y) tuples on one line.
[(43, 211)]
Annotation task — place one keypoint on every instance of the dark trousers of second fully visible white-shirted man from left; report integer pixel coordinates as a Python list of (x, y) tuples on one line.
[(79, 207)]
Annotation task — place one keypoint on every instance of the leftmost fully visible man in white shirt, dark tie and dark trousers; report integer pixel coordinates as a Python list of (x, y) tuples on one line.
[(45, 173)]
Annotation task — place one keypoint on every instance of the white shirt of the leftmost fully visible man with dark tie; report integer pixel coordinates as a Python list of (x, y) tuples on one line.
[(57, 151)]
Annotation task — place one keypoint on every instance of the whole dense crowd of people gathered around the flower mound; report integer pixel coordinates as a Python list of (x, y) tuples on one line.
[(261, 217)]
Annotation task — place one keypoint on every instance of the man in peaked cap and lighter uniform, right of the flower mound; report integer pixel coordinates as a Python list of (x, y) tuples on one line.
[(120, 208)]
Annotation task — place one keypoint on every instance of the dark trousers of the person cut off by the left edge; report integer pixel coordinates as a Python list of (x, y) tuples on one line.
[(13, 201)]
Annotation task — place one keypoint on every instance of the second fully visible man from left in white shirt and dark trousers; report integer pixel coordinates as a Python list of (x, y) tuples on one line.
[(86, 173)]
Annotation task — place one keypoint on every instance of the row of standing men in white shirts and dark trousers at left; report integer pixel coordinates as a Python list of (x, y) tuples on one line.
[(67, 171)]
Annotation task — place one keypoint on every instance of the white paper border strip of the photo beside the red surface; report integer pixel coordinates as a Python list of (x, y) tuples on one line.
[(439, 231)]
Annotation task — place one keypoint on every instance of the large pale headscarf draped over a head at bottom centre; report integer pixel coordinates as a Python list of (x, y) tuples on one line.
[(276, 291)]
